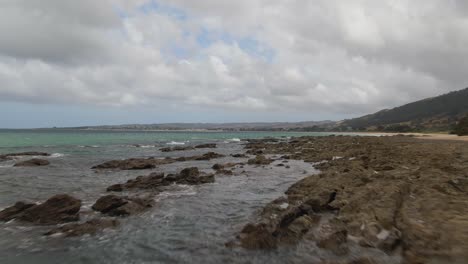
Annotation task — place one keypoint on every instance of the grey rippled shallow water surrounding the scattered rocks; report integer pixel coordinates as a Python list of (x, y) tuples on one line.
[(188, 224)]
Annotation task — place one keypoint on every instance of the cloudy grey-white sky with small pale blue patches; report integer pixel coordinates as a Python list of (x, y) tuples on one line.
[(68, 62)]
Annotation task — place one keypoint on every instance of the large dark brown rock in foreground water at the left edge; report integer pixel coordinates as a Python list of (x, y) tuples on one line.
[(58, 209)]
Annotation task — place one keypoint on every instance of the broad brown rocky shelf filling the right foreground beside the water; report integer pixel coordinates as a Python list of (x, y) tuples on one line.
[(406, 197)]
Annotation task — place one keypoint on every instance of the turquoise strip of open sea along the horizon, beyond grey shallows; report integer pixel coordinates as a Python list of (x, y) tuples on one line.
[(53, 137)]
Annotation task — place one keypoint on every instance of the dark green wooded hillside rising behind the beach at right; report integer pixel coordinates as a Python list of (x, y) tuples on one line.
[(439, 113)]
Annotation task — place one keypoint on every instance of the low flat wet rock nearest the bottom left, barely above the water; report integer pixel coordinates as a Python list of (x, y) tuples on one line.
[(90, 227)]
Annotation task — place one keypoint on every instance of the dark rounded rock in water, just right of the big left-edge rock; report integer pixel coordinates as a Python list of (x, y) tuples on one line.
[(121, 205)]
